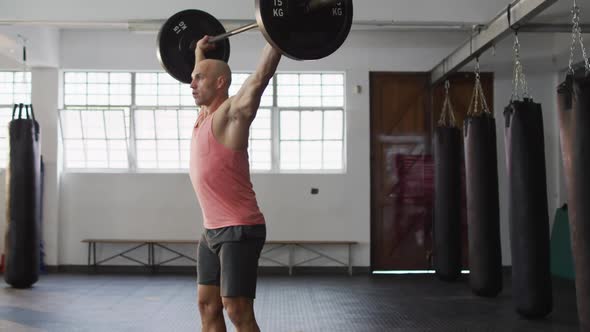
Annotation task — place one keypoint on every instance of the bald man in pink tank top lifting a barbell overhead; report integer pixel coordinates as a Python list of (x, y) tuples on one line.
[(235, 229)]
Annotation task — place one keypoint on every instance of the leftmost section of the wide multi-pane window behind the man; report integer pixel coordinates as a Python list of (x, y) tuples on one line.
[(95, 122)]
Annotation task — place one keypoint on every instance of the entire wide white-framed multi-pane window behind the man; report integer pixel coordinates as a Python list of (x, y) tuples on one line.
[(299, 125)]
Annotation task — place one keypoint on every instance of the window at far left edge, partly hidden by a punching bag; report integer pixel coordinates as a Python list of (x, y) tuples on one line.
[(15, 88)]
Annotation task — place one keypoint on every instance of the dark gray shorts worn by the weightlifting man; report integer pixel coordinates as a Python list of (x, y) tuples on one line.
[(228, 257)]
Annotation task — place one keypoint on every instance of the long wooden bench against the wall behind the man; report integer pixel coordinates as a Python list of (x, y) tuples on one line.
[(151, 244)]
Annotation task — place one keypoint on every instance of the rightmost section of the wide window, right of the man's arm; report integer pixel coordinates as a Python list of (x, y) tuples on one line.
[(311, 111)]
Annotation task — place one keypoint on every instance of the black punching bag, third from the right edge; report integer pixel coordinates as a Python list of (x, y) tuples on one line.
[(483, 207)]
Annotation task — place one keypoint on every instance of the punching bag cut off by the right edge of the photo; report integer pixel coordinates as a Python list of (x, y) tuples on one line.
[(574, 123)]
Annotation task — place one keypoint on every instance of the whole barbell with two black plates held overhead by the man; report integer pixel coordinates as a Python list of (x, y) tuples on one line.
[(299, 29)]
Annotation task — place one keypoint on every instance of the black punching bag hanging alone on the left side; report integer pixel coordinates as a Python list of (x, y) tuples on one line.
[(23, 201)]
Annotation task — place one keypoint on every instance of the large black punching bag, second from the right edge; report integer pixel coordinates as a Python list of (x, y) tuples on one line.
[(527, 209)]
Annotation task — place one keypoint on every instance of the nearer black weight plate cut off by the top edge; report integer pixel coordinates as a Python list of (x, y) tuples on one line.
[(302, 35)]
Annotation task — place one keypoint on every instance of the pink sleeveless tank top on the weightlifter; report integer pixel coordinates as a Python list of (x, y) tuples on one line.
[(221, 180)]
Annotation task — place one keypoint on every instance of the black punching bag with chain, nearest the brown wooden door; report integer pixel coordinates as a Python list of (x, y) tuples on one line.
[(447, 204)]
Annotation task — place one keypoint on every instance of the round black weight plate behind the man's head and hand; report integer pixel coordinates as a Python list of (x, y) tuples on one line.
[(176, 36)]
